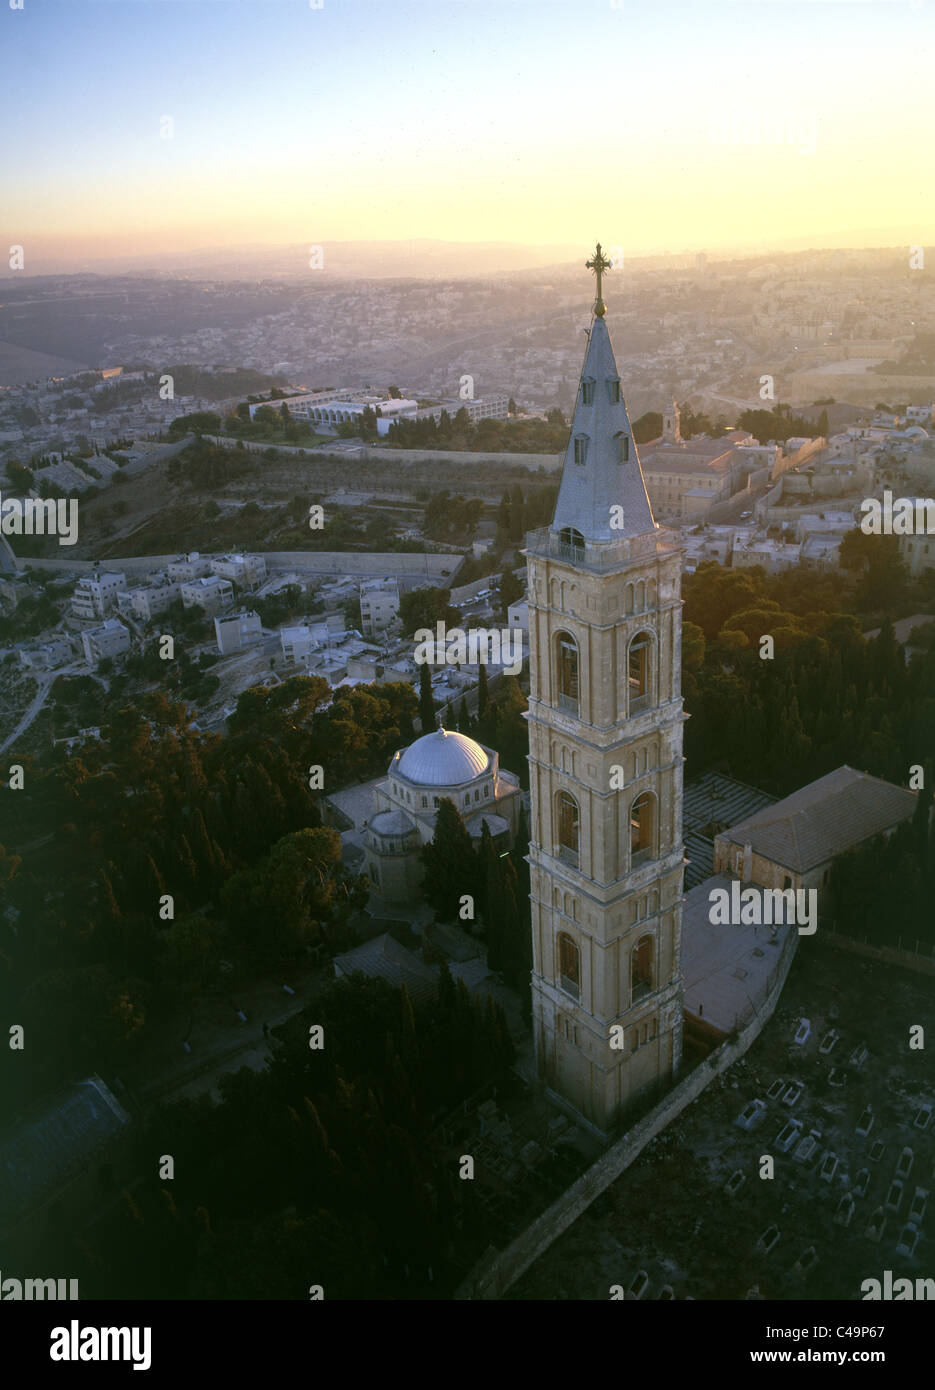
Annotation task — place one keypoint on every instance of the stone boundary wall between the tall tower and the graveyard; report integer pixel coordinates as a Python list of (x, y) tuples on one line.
[(494, 1279)]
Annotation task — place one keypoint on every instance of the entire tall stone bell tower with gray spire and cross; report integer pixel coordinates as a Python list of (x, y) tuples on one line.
[(605, 765)]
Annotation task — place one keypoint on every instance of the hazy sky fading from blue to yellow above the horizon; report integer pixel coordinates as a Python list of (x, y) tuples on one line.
[(654, 124)]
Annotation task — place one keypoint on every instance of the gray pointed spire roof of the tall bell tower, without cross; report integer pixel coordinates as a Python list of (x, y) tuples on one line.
[(602, 466)]
